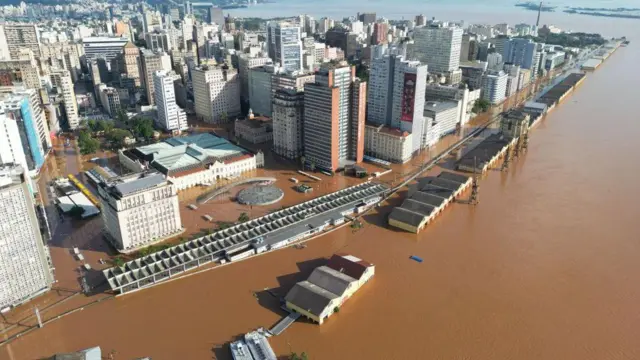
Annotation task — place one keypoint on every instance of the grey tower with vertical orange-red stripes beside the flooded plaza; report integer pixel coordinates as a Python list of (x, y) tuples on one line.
[(334, 115)]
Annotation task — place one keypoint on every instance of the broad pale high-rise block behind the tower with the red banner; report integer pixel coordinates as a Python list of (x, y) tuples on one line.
[(438, 47)]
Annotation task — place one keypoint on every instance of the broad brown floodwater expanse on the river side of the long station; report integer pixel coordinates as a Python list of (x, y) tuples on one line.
[(545, 267)]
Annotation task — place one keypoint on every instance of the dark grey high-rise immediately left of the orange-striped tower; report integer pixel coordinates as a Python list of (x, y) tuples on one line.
[(288, 115)]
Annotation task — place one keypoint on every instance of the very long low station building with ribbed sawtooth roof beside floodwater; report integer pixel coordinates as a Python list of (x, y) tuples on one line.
[(266, 233)]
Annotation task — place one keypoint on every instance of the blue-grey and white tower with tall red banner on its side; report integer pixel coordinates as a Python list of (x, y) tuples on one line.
[(396, 95)]
